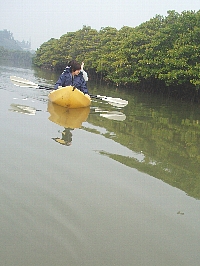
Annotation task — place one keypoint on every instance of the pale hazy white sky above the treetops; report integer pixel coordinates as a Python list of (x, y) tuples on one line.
[(41, 20)]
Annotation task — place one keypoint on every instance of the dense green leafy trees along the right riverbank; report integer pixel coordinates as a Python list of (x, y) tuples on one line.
[(163, 49)]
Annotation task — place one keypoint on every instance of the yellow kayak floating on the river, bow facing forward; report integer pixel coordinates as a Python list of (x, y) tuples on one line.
[(69, 97)]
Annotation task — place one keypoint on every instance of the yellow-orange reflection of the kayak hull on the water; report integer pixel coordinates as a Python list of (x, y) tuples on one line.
[(68, 118)]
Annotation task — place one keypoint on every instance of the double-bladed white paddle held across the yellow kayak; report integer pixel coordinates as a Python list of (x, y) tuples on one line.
[(26, 83)]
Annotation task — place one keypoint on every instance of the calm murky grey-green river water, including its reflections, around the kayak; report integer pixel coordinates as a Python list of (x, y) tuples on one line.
[(105, 186)]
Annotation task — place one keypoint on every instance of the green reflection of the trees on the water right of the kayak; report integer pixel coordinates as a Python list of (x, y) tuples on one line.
[(166, 132)]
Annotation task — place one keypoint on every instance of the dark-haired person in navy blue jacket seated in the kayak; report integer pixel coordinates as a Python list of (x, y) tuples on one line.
[(73, 75)]
